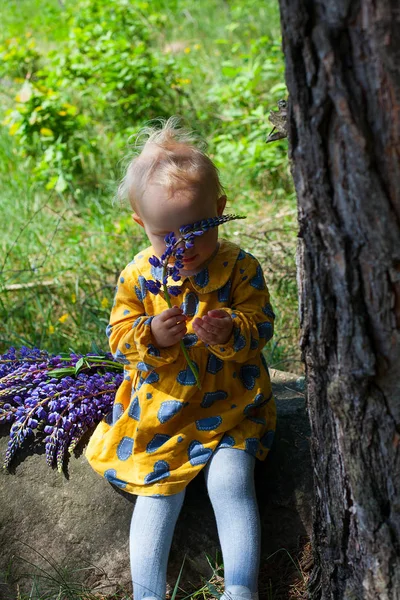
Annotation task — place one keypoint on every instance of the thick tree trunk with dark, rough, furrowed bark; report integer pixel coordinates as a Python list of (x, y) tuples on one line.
[(342, 72)]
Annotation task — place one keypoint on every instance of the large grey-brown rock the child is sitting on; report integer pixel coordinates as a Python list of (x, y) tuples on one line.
[(79, 521)]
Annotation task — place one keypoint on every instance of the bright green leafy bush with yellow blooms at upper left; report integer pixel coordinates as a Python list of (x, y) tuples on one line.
[(106, 72)]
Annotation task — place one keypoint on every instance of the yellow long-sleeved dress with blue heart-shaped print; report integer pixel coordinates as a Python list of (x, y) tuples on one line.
[(163, 429)]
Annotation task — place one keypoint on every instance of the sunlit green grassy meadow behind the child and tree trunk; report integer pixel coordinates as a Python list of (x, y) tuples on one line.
[(63, 245)]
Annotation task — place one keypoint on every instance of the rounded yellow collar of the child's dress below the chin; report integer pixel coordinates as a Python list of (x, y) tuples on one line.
[(212, 277)]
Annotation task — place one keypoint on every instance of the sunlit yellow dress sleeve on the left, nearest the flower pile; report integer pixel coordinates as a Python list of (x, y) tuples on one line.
[(129, 331)]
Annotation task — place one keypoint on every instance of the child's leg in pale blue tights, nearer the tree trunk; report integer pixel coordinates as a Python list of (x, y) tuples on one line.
[(230, 483)]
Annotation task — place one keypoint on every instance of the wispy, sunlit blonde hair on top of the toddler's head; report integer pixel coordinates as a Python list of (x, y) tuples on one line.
[(170, 156)]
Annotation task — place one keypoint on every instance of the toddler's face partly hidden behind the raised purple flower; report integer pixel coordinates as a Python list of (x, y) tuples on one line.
[(162, 211)]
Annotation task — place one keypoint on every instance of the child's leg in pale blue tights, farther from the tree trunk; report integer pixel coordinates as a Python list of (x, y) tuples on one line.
[(152, 528)]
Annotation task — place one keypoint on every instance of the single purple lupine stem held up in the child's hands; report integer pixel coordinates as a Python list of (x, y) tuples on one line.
[(175, 248)]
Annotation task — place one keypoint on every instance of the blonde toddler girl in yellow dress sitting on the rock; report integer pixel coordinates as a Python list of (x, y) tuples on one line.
[(163, 429)]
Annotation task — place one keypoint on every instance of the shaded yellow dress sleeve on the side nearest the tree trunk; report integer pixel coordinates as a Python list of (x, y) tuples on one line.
[(252, 314)]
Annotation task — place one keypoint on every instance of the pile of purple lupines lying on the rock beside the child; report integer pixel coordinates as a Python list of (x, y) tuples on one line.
[(54, 400)]
